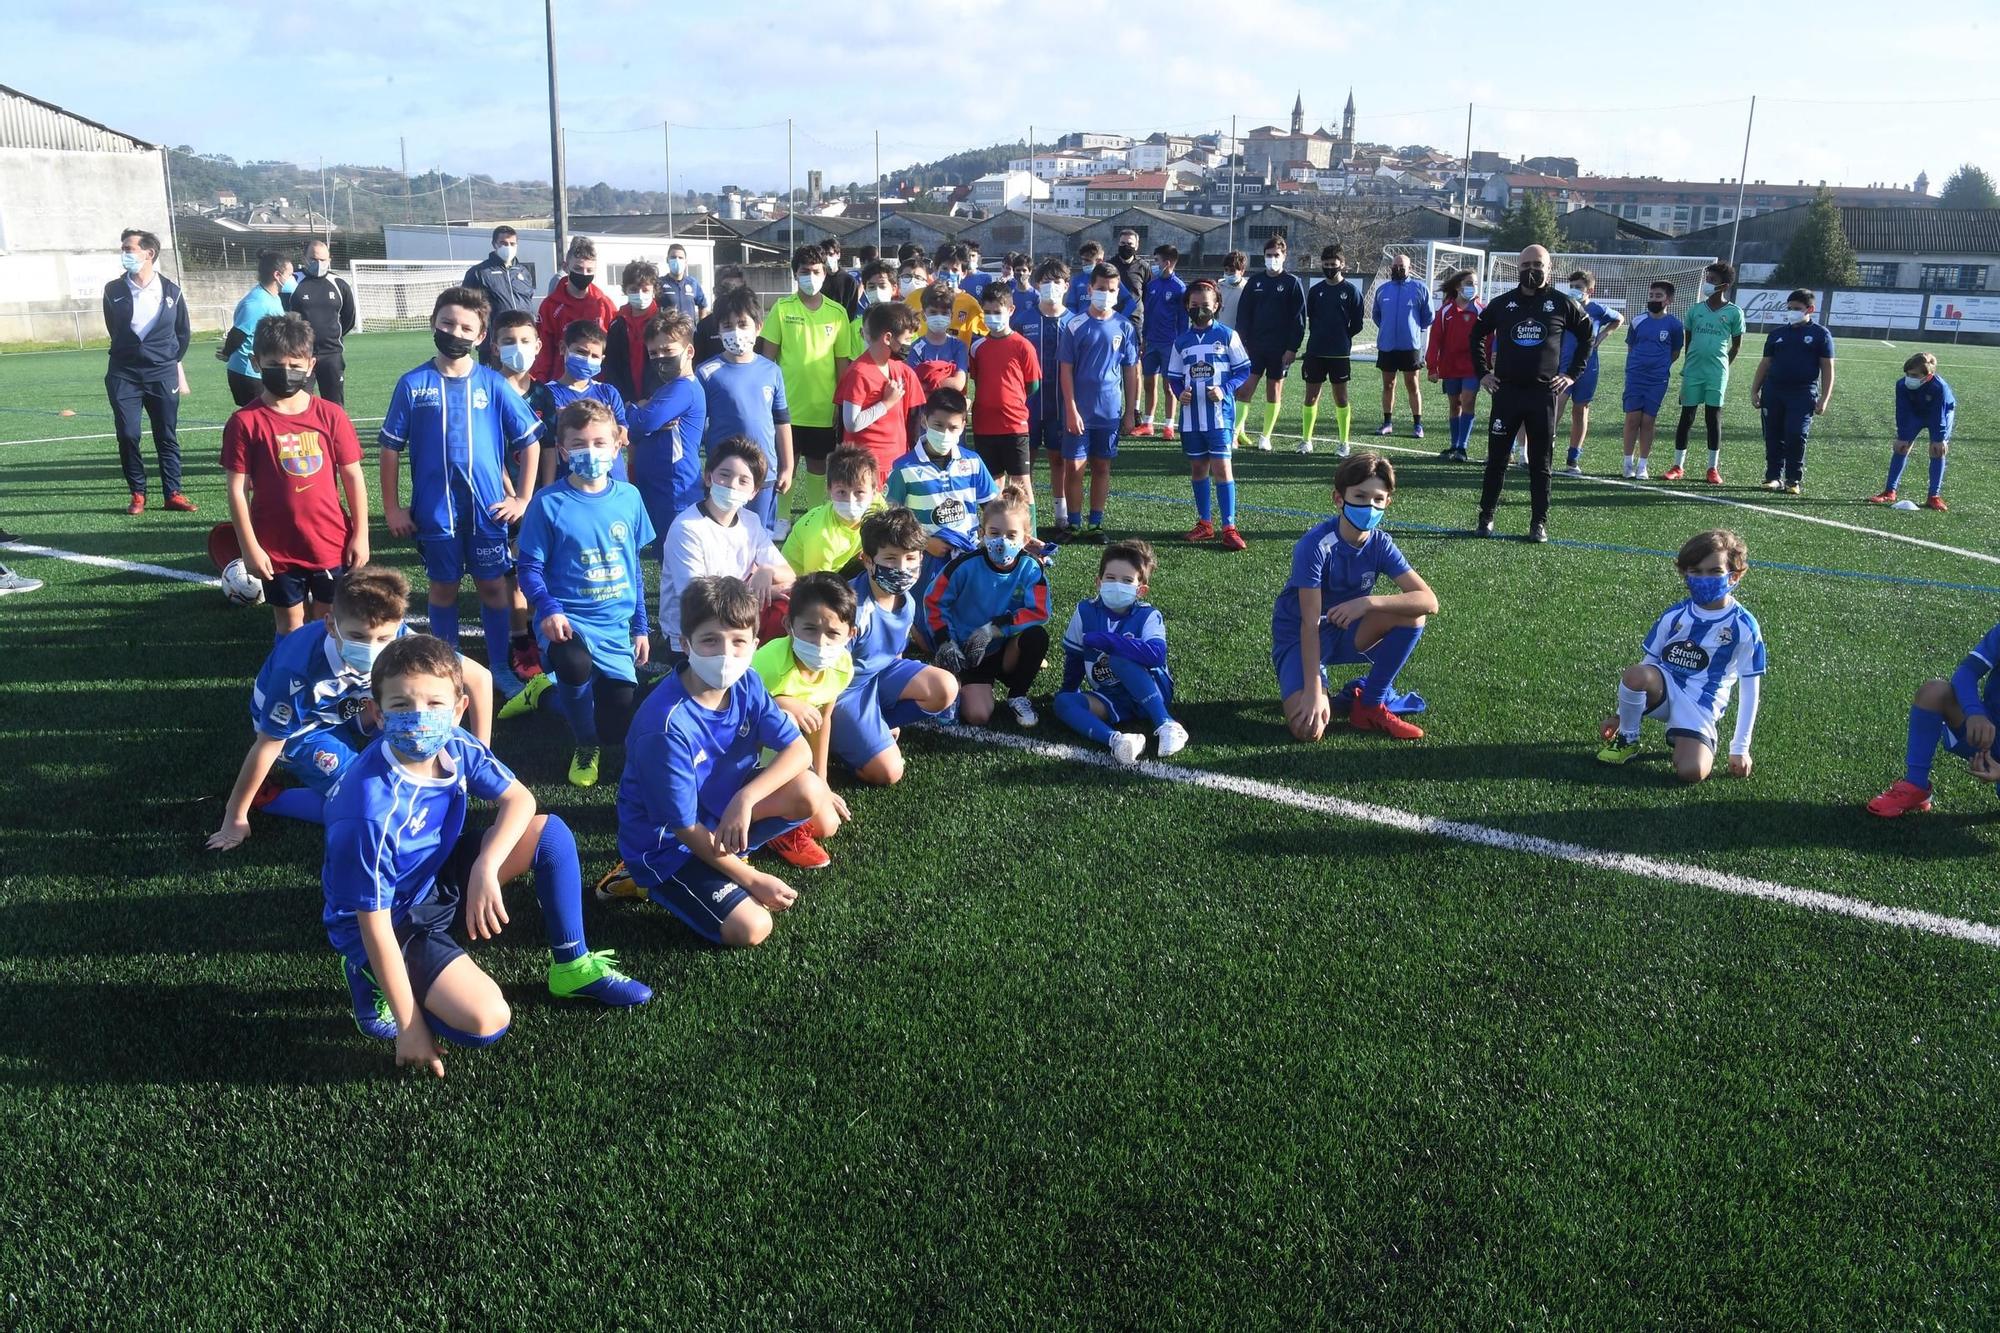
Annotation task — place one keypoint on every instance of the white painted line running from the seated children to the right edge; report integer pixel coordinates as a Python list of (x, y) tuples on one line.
[(1501, 840)]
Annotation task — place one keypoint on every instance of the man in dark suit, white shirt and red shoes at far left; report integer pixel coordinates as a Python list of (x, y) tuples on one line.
[(147, 319)]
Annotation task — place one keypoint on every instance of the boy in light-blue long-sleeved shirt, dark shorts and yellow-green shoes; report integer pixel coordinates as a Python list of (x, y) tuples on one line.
[(579, 569)]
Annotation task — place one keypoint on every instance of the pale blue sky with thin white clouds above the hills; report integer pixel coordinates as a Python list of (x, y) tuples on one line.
[(1847, 93)]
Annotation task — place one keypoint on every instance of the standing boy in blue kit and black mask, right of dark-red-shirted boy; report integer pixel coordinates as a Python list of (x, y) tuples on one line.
[(461, 421)]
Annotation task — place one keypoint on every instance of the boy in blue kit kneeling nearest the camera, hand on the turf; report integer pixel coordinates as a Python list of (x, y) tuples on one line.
[(403, 872)]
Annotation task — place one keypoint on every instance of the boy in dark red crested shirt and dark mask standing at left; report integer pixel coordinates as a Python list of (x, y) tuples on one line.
[(291, 459)]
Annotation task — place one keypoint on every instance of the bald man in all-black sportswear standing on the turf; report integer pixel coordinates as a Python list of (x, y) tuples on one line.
[(1525, 379)]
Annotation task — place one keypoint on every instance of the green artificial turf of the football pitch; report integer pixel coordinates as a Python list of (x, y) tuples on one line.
[(1053, 1044)]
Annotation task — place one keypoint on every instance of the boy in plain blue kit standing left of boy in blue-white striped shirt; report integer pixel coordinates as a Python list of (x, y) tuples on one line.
[(1099, 393)]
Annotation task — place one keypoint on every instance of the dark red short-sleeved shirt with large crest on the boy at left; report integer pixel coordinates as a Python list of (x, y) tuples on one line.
[(295, 479)]
